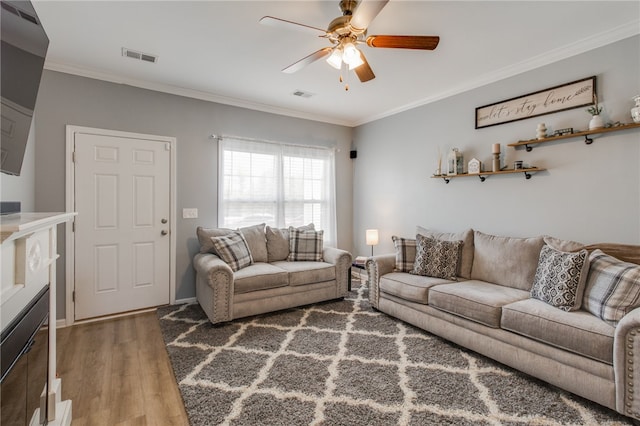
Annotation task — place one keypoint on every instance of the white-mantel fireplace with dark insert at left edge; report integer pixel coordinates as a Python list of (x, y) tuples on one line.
[(27, 299)]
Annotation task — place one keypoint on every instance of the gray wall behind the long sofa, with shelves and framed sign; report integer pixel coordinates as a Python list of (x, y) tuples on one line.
[(589, 193)]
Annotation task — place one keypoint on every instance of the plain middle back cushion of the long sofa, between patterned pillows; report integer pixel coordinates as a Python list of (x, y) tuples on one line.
[(506, 261)]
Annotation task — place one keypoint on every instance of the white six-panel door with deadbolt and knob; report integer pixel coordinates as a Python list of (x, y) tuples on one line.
[(122, 231)]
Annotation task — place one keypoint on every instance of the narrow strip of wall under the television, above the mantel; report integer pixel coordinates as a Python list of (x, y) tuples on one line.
[(22, 188)]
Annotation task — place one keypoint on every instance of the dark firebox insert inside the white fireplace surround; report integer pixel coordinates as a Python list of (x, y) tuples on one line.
[(24, 358)]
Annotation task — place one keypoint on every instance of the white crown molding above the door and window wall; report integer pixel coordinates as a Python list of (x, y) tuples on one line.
[(189, 93)]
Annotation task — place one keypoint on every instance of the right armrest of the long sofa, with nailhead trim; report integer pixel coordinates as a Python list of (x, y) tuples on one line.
[(626, 364)]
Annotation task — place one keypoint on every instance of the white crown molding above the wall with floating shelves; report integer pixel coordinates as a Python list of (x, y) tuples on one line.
[(590, 43)]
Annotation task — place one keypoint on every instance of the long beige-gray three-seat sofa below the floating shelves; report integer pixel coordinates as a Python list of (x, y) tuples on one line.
[(488, 308)]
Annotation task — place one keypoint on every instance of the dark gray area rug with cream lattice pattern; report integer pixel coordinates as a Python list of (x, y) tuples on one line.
[(343, 363)]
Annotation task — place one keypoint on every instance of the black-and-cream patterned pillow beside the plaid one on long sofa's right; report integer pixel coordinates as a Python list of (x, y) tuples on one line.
[(560, 278)]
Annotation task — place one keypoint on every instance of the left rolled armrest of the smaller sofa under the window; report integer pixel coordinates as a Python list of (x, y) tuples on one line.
[(214, 287)]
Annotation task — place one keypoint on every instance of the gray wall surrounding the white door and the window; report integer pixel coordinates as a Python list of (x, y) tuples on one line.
[(66, 99)]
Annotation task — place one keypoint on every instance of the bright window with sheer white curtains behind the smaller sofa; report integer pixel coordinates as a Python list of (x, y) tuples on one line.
[(280, 185)]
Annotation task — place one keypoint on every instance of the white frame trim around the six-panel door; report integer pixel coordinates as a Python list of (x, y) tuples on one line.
[(70, 206)]
